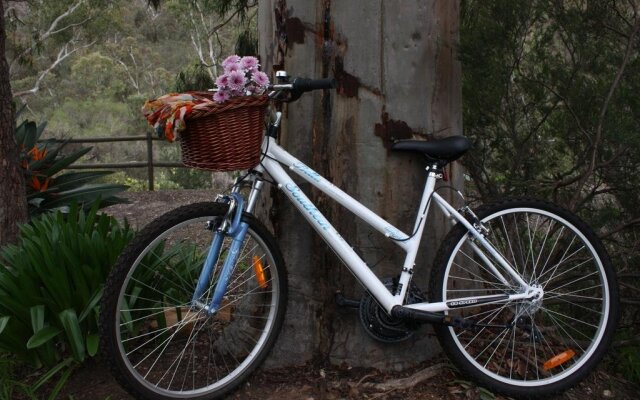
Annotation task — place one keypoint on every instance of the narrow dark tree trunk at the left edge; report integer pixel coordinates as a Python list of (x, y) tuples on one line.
[(13, 205)]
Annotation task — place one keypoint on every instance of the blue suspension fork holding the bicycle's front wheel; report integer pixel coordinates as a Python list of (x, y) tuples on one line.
[(237, 230)]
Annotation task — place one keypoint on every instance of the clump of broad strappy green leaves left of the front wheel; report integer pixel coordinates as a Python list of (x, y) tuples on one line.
[(51, 284)]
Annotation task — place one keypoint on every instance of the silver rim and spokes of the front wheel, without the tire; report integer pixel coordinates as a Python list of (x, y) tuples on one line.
[(177, 351)]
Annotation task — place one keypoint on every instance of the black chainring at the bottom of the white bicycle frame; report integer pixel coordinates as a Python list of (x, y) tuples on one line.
[(380, 325)]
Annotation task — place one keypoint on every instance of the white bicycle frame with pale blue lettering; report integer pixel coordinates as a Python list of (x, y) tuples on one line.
[(276, 157)]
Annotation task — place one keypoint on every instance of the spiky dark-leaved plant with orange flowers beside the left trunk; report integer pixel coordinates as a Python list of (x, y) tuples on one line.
[(47, 188)]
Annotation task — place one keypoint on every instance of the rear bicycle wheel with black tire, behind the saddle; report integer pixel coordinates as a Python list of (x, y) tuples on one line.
[(528, 348)]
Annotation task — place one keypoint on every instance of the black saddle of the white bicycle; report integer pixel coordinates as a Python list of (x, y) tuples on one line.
[(447, 149)]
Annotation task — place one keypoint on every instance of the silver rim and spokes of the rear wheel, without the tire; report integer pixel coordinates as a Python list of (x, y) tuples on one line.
[(553, 254)]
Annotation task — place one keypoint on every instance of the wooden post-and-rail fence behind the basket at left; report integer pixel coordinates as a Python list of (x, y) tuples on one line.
[(149, 163)]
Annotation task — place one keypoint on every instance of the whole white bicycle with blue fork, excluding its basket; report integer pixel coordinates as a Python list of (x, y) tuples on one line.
[(522, 295)]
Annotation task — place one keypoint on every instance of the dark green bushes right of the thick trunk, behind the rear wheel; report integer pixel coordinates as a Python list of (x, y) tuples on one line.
[(550, 102)]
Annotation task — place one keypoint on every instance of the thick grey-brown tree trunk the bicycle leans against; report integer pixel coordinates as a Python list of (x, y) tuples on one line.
[(398, 78)]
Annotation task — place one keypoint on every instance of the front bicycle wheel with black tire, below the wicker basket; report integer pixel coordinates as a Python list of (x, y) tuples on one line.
[(156, 344)]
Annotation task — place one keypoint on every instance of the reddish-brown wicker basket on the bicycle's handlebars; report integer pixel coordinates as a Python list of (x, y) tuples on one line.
[(225, 137)]
